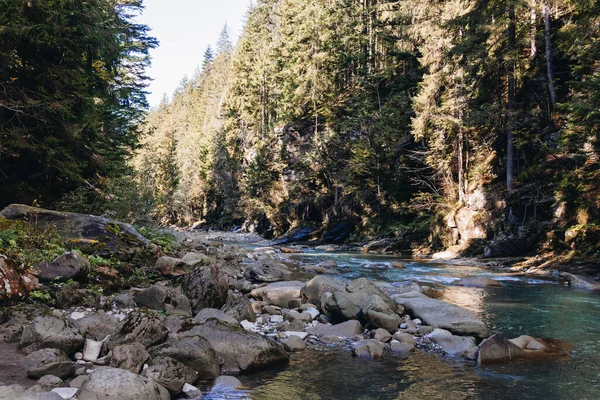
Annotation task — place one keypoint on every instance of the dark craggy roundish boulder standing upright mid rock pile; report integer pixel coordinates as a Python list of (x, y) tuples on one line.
[(206, 287)]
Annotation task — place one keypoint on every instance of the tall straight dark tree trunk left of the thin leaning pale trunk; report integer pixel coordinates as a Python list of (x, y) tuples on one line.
[(511, 98)]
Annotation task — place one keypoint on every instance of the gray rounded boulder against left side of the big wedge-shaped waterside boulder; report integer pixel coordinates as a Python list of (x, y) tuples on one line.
[(194, 352)]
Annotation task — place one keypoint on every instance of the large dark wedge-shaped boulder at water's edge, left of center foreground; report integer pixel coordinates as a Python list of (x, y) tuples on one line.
[(240, 350)]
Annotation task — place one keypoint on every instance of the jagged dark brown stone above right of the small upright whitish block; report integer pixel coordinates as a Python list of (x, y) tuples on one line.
[(143, 327)]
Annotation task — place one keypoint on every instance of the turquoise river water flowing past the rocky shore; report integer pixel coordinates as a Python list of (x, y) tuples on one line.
[(537, 307)]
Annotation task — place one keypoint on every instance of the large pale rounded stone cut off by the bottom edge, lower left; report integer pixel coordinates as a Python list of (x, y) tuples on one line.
[(107, 383)]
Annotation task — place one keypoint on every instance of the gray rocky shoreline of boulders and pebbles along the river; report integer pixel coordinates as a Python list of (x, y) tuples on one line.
[(216, 310)]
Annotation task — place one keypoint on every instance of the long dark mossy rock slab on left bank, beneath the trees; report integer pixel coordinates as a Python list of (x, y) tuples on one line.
[(99, 235)]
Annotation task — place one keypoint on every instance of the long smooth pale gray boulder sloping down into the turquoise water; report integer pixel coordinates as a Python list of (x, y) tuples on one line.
[(441, 314)]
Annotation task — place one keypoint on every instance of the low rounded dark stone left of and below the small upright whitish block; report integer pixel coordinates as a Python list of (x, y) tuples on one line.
[(47, 361)]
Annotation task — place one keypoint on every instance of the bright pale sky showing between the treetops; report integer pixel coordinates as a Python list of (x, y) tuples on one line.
[(185, 28)]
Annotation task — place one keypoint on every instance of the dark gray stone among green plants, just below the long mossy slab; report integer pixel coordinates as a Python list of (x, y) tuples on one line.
[(69, 265)]
